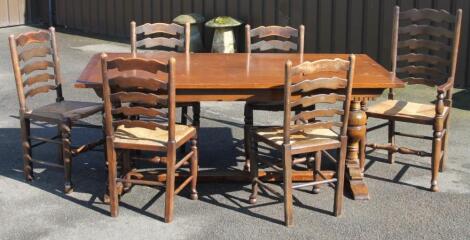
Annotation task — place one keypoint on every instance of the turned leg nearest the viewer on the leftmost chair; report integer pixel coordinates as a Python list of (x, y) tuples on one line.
[(65, 129)]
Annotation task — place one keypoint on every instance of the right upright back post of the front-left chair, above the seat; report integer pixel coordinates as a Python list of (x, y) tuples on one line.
[(171, 100)]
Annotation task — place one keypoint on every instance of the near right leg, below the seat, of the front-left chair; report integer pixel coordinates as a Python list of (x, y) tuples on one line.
[(170, 183)]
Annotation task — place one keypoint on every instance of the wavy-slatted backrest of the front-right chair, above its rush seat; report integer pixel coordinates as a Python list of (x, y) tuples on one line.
[(302, 94)]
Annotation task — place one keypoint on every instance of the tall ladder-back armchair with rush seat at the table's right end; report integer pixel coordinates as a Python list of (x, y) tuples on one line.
[(424, 51)]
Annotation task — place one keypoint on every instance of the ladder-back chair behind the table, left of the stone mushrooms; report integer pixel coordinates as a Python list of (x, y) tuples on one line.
[(164, 37)]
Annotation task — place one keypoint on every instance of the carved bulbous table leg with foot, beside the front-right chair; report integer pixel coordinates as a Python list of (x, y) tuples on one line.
[(356, 135)]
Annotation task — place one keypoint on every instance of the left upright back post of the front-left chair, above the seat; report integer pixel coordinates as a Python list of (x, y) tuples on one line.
[(108, 117)]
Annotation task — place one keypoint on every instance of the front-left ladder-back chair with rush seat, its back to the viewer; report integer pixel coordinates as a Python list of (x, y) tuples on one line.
[(129, 81)]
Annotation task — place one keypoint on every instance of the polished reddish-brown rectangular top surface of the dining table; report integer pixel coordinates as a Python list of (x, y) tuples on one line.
[(255, 71)]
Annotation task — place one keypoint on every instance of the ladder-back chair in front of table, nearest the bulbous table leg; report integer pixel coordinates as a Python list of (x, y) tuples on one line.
[(310, 132)]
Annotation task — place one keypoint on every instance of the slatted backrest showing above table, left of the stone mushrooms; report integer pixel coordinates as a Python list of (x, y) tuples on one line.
[(149, 39)]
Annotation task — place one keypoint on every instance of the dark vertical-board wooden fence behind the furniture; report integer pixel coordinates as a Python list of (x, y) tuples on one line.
[(357, 26)]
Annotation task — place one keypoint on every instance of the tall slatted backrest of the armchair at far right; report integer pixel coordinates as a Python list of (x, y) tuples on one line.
[(424, 45)]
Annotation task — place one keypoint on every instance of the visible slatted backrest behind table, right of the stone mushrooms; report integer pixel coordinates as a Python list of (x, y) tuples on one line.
[(265, 38)]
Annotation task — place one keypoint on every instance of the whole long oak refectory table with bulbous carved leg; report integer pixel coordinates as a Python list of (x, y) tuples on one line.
[(260, 77)]
